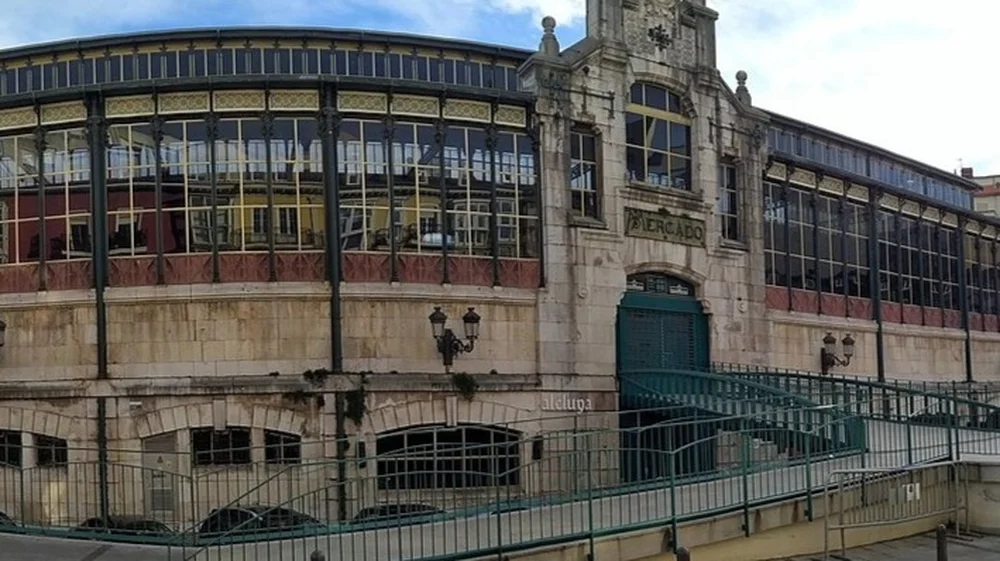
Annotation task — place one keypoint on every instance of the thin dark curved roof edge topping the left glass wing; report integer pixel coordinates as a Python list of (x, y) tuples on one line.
[(270, 32)]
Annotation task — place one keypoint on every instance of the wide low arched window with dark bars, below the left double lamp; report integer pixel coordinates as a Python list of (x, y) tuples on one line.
[(434, 457)]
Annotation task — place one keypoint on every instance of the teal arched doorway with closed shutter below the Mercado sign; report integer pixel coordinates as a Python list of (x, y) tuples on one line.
[(661, 325)]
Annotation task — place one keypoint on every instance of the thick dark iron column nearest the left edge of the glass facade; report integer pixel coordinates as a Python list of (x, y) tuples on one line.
[(98, 140)]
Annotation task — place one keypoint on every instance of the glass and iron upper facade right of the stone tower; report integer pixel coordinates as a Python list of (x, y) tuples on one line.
[(848, 232)]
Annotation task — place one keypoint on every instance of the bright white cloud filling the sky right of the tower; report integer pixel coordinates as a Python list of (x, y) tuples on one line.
[(907, 75)]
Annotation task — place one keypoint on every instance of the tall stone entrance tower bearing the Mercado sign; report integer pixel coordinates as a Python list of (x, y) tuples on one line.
[(588, 261)]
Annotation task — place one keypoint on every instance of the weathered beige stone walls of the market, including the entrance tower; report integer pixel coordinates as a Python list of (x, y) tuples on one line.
[(258, 355)]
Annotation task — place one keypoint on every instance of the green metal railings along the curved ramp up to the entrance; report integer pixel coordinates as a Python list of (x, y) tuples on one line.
[(690, 445)]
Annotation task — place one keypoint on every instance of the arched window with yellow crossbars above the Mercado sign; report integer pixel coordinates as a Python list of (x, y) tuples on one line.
[(658, 138)]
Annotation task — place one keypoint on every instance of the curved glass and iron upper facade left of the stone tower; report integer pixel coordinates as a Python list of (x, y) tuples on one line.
[(431, 178)]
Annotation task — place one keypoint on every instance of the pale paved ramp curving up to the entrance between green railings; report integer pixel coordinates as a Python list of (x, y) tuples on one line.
[(887, 444)]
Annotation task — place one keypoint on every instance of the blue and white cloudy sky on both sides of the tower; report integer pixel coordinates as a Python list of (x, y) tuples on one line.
[(910, 76)]
